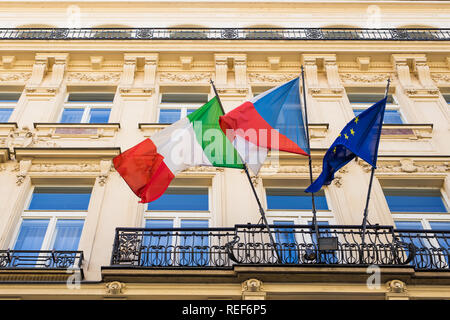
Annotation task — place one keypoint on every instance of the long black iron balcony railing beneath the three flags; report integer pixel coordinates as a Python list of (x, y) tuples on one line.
[(295, 245)]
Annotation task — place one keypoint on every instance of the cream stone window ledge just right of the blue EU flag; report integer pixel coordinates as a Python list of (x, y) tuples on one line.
[(407, 131)]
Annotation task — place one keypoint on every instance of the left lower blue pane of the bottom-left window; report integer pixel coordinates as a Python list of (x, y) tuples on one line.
[(31, 234)]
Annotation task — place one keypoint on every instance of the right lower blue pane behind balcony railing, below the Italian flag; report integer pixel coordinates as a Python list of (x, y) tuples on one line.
[(194, 244)]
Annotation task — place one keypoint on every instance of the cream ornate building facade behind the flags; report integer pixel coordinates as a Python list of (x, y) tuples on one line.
[(81, 82)]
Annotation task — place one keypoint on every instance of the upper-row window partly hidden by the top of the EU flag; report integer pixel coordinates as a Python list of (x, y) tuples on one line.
[(361, 102)]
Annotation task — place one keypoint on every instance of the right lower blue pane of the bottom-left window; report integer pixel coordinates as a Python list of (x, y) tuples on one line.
[(68, 233)]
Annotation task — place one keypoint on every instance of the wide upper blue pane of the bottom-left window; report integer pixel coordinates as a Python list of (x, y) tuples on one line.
[(48, 198)]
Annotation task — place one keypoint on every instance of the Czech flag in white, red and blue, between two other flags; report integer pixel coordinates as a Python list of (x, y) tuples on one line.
[(273, 120)]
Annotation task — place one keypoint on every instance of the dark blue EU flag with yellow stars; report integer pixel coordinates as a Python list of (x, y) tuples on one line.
[(359, 138)]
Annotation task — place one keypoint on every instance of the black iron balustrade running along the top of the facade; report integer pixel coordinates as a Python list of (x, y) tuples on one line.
[(410, 34)]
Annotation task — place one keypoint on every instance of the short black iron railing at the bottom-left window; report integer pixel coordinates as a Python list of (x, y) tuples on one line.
[(48, 259)]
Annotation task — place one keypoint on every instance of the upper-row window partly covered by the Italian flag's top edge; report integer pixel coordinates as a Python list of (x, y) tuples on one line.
[(175, 106)]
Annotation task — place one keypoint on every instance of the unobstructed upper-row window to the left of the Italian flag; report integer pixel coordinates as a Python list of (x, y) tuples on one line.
[(87, 108)]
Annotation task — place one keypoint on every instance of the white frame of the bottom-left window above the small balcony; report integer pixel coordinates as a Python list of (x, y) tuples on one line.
[(52, 215)]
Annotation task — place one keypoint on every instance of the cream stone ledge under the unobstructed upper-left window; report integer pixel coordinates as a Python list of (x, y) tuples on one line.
[(77, 130)]
